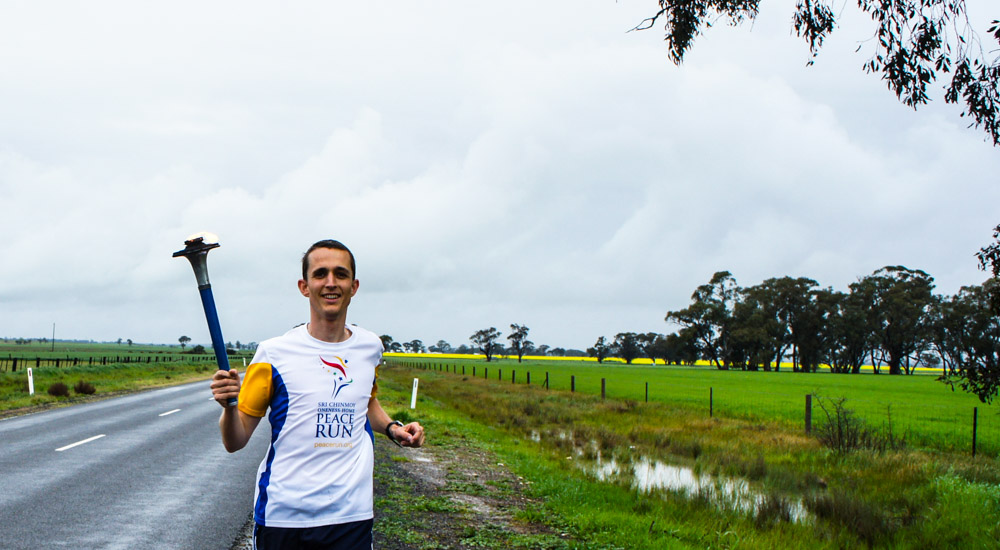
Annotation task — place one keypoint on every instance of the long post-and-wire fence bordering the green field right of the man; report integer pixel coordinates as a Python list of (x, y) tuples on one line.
[(957, 429)]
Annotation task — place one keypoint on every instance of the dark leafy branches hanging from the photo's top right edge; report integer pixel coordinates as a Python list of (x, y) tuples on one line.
[(915, 40)]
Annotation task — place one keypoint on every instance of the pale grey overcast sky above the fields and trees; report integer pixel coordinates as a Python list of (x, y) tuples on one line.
[(488, 163)]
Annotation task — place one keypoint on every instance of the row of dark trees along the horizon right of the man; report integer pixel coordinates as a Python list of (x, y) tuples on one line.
[(891, 320)]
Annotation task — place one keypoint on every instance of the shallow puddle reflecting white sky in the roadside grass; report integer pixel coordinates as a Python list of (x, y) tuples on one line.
[(726, 493)]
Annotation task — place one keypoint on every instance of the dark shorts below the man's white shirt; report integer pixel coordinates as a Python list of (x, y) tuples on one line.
[(356, 535)]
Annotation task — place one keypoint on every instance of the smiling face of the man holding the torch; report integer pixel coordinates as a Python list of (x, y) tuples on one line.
[(330, 284)]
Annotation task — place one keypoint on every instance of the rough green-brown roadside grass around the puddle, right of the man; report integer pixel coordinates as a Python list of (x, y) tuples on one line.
[(553, 439)]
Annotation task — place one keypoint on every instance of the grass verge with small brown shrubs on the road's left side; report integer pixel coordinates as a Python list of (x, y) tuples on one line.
[(103, 379)]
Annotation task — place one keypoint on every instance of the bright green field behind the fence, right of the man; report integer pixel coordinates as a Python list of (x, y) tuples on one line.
[(923, 411)]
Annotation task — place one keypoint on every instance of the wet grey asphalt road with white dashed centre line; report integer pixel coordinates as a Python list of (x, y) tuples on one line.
[(143, 471)]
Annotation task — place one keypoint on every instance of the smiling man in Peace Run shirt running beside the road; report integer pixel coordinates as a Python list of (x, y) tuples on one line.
[(314, 486)]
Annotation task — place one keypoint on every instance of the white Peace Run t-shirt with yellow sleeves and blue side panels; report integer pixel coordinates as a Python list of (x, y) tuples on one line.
[(318, 469)]
